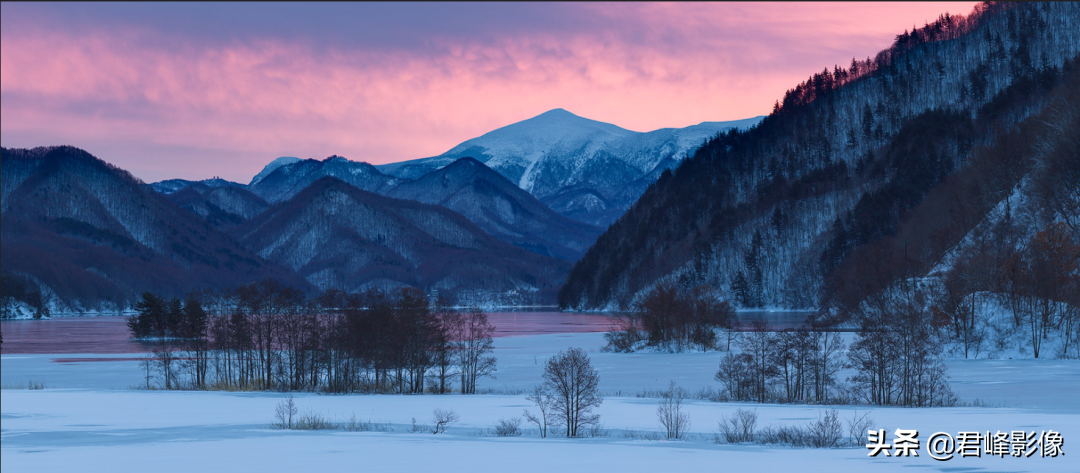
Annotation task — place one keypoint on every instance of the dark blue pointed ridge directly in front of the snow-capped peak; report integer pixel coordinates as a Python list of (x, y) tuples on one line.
[(502, 209)]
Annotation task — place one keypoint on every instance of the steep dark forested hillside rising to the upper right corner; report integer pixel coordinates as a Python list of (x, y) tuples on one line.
[(865, 174)]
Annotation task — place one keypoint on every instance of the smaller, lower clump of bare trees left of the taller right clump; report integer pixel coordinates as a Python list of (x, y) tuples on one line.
[(794, 366)]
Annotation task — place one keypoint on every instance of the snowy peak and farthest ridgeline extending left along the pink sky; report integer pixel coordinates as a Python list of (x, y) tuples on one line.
[(584, 170)]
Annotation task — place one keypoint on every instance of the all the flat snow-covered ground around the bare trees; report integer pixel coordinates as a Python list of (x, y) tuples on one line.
[(89, 420)]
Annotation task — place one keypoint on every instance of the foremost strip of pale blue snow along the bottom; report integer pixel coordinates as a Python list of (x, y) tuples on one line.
[(119, 431)]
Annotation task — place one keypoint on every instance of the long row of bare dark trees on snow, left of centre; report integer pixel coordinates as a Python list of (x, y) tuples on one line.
[(265, 336)]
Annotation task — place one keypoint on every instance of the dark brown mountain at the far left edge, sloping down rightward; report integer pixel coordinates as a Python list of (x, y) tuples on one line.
[(93, 237)]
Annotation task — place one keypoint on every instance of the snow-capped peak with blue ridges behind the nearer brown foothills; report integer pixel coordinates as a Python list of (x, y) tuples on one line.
[(549, 184)]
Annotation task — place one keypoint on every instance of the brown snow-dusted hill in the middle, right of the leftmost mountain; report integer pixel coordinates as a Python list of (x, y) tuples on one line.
[(337, 236)]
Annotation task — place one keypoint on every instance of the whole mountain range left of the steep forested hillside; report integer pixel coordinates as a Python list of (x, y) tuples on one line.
[(474, 222)]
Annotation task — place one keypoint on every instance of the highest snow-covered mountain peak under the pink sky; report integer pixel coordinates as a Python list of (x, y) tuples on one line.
[(583, 169)]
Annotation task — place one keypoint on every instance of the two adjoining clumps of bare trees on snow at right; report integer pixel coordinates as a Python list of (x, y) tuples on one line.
[(897, 356)]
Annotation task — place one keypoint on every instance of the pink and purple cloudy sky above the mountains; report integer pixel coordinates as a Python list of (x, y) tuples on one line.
[(197, 91)]
